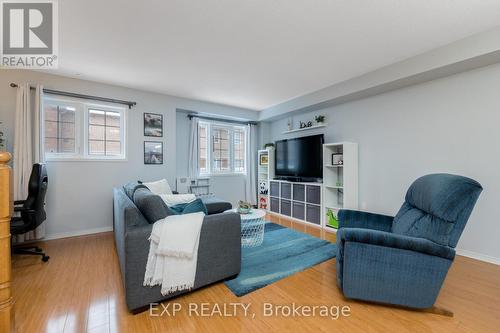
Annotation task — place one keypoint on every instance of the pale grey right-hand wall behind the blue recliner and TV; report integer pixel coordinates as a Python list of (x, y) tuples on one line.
[(447, 125)]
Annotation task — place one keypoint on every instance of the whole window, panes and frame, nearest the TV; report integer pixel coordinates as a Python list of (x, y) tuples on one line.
[(221, 148)]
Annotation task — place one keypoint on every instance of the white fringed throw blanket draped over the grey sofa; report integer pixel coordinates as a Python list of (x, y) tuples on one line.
[(173, 252)]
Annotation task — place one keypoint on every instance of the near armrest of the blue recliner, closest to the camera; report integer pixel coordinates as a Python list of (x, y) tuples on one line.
[(387, 239)]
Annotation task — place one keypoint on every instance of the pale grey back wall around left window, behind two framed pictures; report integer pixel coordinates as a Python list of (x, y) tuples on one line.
[(79, 198)]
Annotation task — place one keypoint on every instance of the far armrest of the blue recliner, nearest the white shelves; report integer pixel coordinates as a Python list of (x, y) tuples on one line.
[(358, 219)]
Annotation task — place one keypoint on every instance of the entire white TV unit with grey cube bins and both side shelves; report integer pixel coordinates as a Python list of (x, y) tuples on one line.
[(310, 202)]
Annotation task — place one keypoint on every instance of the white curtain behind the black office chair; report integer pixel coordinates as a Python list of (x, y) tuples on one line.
[(27, 146)]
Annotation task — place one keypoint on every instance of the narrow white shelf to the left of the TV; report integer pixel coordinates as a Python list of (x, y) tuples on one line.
[(265, 173)]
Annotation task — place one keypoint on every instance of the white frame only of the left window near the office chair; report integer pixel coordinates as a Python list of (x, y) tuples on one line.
[(82, 130)]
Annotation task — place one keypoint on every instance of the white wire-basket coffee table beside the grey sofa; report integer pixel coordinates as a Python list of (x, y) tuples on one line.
[(252, 227)]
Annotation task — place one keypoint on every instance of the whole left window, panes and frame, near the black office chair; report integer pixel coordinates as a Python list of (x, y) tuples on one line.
[(82, 130)]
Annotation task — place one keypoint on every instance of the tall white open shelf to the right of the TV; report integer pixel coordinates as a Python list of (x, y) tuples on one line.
[(340, 180)]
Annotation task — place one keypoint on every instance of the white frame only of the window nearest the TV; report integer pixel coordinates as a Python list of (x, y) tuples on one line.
[(210, 124)]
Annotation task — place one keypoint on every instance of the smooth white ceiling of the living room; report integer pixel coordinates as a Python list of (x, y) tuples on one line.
[(254, 53)]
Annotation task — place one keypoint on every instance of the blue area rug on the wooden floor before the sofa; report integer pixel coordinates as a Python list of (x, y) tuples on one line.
[(284, 252)]
